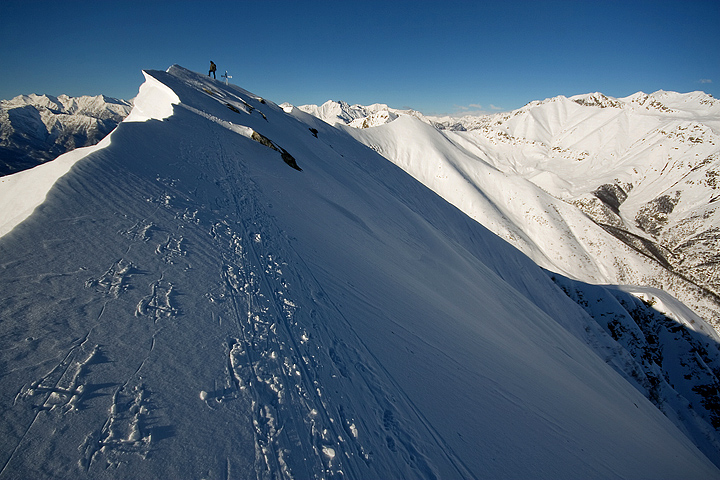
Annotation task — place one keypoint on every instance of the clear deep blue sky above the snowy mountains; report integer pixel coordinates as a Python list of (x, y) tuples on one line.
[(433, 56)]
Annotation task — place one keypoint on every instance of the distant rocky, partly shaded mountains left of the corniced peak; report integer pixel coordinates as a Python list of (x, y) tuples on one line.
[(37, 128)]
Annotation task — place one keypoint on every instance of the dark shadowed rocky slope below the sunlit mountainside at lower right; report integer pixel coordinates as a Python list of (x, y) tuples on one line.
[(674, 366)]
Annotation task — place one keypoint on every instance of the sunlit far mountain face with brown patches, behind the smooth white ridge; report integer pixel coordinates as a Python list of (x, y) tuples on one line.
[(642, 167)]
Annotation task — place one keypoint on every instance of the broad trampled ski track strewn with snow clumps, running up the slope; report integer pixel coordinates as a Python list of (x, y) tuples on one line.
[(284, 361)]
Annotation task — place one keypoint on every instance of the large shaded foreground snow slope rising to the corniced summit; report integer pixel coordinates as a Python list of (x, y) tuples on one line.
[(186, 302)]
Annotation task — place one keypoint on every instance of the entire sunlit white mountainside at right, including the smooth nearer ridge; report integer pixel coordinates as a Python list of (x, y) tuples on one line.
[(601, 189)]
